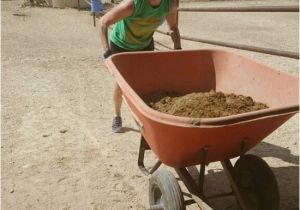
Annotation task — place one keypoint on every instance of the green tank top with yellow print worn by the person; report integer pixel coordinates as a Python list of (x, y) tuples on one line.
[(135, 32)]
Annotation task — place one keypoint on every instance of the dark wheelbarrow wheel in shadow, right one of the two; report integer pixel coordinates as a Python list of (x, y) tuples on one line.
[(257, 183)]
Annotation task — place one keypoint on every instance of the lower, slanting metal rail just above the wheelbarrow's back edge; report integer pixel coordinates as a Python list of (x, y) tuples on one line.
[(269, 51)]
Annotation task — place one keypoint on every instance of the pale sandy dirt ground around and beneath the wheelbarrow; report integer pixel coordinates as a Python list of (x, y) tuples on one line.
[(57, 148)]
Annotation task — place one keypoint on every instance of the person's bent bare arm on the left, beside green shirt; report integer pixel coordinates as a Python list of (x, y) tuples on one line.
[(124, 9)]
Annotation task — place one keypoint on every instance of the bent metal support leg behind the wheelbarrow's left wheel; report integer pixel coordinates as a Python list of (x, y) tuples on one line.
[(143, 147)]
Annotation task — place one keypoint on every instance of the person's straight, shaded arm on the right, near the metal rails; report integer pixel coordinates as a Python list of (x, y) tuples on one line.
[(173, 27)]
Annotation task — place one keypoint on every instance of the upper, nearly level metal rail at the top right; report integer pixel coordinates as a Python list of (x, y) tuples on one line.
[(292, 8)]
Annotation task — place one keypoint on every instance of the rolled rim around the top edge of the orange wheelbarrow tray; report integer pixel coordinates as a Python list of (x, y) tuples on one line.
[(144, 109)]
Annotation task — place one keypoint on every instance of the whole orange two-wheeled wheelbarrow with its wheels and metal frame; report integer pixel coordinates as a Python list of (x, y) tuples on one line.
[(183, 142)]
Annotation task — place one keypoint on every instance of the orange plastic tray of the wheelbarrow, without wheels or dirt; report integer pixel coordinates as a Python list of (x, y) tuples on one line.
[(178, 141)]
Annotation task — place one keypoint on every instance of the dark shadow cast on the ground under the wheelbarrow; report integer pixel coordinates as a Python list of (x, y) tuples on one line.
[(216, 183)]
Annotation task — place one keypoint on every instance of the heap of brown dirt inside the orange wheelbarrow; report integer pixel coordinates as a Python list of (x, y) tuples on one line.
[(202, 104)]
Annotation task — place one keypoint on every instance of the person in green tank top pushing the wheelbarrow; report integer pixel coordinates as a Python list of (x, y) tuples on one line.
[(135, 22)]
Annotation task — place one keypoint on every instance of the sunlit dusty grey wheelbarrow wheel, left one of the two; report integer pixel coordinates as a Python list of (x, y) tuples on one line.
[(165, 192)]
